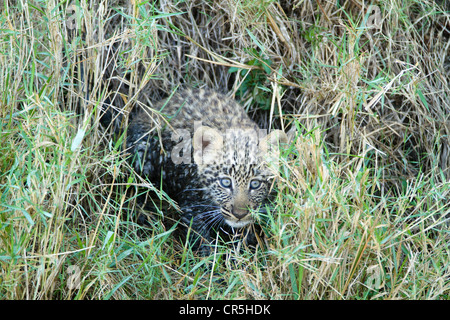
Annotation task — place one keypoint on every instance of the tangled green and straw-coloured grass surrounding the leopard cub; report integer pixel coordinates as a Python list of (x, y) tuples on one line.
[(361, 204)]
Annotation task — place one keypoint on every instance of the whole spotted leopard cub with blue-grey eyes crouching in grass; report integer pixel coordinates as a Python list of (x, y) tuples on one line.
[(217, 182)]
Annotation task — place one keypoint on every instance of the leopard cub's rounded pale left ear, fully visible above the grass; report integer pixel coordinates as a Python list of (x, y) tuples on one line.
[(208, 144)]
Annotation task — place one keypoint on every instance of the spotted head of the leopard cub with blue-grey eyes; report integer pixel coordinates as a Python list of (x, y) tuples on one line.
[(236, 168)]
